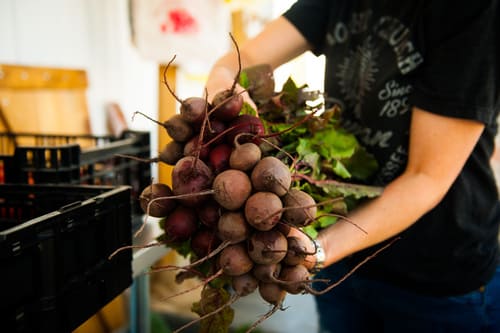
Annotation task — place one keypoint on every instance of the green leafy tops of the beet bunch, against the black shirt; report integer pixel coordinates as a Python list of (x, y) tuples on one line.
[(329, 161)]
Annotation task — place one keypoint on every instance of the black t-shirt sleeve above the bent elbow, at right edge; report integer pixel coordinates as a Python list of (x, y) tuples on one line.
[(460, 74)]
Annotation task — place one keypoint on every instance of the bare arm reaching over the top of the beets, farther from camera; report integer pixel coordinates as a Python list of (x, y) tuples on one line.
[(278, 43)]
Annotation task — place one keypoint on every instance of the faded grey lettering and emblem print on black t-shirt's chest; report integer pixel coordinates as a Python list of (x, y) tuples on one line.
[(368, 73)]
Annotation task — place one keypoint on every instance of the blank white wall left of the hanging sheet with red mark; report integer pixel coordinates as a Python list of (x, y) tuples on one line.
[(93, 35)]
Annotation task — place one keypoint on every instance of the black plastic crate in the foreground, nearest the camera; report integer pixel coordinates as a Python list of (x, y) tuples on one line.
[(55, 243)]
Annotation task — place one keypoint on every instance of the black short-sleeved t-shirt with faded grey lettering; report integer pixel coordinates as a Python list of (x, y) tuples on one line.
[(383, 58)]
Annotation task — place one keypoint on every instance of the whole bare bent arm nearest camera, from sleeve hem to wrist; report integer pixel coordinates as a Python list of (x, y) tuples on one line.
[(439, 147)]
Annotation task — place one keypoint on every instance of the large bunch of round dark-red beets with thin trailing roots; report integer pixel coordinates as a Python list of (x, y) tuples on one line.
[(231, 204)]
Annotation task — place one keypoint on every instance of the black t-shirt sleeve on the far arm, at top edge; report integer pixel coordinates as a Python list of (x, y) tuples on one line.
[(310, 17)]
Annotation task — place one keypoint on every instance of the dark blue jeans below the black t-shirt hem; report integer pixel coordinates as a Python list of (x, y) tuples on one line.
[(360, 305)]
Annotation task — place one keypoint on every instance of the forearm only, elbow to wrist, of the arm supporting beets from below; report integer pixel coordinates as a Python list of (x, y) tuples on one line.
[(395, 210)]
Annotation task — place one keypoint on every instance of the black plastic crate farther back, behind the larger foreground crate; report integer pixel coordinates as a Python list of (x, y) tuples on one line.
[(28, 158)]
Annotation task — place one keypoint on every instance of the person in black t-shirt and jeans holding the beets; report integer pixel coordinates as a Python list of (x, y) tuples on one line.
[(418, 83)]
